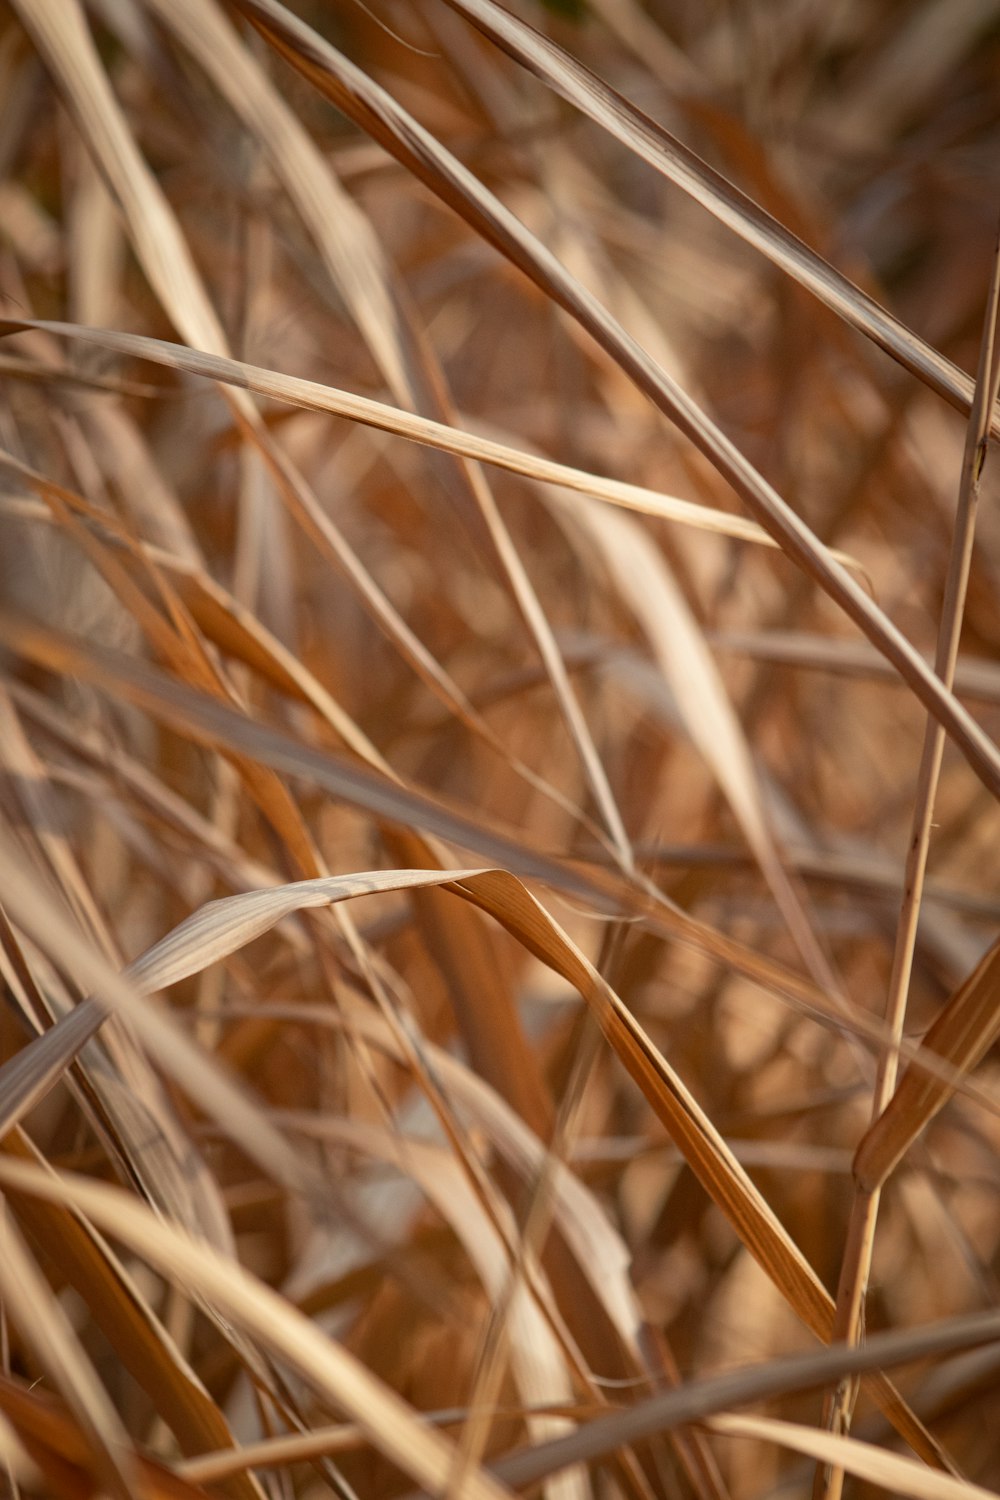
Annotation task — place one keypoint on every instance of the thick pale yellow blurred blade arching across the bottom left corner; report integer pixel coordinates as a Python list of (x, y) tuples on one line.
[(271, 1321)]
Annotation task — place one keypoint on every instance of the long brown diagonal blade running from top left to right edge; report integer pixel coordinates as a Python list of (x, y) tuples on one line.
[(427, 160)]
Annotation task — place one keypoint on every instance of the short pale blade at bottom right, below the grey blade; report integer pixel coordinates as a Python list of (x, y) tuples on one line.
[(903, 1477)]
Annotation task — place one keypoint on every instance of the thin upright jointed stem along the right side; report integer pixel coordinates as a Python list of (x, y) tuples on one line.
[(861, 1234)]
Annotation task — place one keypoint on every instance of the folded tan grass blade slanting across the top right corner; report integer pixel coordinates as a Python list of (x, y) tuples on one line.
[(746, 218)]
